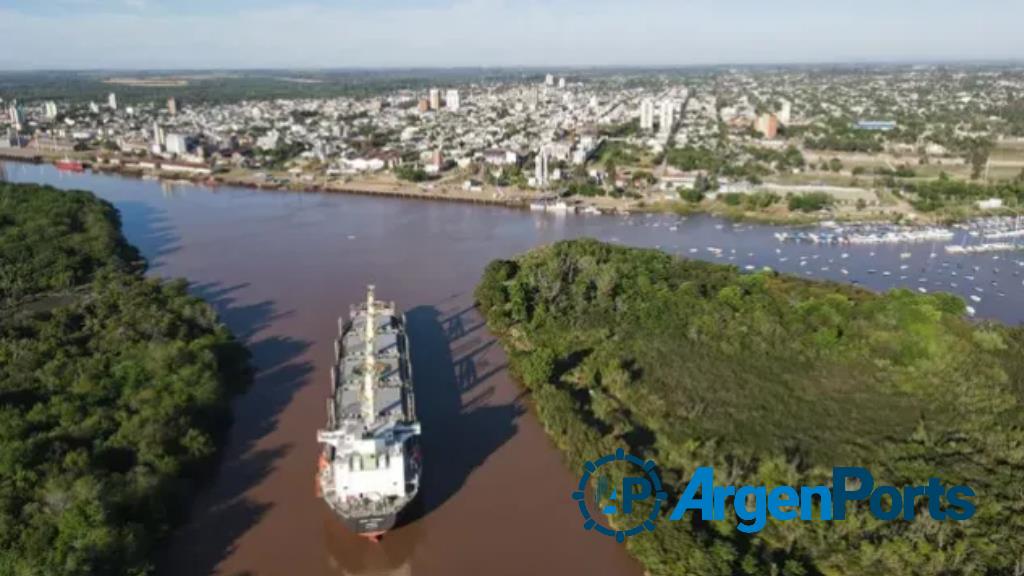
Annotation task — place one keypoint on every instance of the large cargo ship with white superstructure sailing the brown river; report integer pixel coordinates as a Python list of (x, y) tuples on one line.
[(370, 464)]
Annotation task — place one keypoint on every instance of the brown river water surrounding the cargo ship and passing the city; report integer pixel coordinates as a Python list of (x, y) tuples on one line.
[(281, 267)]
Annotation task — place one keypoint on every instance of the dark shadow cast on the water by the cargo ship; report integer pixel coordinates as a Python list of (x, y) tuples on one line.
[(459, 433)]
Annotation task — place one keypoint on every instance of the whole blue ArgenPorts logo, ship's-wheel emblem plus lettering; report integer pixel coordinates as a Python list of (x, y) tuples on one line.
[(754, 506)]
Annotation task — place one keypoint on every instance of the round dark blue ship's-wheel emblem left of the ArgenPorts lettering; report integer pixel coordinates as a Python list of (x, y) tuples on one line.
[(634, 489)]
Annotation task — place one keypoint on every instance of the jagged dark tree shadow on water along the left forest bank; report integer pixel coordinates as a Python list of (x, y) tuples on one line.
[(223, 513)]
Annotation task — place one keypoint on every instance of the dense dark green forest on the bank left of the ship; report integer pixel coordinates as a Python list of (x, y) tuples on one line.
[(114, 391)]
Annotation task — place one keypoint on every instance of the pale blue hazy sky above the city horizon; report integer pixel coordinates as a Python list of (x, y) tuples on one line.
[(168, 34)]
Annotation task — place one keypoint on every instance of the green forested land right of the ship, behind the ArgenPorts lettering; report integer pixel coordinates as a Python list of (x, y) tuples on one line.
[(773, 381)]
